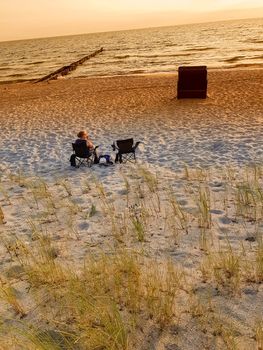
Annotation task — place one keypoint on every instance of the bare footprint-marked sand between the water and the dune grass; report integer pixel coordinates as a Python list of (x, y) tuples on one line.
[(39, 121)]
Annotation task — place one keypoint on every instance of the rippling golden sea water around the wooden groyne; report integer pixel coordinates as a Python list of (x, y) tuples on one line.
[(227, 44)]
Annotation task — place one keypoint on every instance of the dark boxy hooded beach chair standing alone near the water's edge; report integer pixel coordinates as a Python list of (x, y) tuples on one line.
[(192, 81)]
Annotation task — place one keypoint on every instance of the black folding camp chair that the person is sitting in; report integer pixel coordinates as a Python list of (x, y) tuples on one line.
[(82, 155)]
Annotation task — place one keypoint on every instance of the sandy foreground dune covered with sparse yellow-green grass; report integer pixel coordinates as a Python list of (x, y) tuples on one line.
[(129, 275)]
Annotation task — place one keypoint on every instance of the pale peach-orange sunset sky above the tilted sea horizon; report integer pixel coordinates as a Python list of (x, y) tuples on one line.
[(24, 19)]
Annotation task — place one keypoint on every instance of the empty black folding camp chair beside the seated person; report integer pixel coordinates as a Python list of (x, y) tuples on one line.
[(126, 150)]
